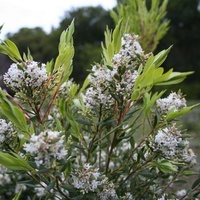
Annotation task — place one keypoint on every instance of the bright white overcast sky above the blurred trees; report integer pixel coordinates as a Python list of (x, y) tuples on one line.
[(15, 14)]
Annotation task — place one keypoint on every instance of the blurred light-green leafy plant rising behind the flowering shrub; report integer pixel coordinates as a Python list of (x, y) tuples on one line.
[(149, 23)]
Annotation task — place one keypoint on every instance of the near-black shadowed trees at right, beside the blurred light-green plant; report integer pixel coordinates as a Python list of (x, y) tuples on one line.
[(184, 25)]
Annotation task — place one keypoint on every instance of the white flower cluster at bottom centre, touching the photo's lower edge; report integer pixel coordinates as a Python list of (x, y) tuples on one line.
[(89, 179)]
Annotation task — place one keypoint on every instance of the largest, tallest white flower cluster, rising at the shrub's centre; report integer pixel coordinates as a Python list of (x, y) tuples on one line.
[(107, 82)]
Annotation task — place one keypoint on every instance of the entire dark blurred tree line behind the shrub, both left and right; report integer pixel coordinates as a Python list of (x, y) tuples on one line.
[(90, 24)]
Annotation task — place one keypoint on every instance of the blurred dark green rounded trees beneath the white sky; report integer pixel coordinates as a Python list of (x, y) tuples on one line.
[(90, 23)]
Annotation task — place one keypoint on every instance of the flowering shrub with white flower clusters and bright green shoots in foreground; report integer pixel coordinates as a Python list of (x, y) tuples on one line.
[(112, 138)]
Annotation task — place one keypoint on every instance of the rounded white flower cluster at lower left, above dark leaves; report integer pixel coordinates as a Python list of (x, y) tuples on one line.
[(46, 147)]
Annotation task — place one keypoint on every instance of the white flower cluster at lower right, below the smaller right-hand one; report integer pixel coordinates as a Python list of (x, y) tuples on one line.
[(170, 142)]
